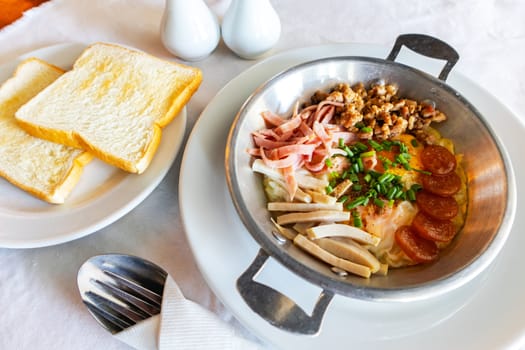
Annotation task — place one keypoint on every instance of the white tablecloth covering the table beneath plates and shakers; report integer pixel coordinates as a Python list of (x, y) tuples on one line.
[(40, 304)]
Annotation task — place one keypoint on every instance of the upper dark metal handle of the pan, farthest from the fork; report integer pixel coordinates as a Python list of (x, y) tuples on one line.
[(427, 46)]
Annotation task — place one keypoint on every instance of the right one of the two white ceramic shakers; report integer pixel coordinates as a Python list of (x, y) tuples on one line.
[(250, 27)]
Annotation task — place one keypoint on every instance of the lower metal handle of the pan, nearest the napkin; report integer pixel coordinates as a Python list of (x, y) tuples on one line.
[(276, 308)]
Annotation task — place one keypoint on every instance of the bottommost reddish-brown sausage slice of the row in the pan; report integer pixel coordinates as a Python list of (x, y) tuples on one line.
[(418, 249)]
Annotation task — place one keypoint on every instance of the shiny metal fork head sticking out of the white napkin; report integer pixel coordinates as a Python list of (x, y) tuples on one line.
[(121, 290)]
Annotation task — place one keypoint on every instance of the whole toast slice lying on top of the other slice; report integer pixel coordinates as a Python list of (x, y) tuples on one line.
[(113, 103)]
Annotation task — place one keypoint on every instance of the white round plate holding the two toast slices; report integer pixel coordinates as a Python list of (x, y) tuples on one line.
[(102, 195)]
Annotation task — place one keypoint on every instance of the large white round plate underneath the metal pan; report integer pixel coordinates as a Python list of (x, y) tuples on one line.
[(487, 313)]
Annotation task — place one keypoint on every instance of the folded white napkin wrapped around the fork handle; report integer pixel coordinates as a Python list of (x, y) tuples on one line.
[(182, 324)]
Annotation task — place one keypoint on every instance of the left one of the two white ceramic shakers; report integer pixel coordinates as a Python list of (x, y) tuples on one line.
[(189, 29)]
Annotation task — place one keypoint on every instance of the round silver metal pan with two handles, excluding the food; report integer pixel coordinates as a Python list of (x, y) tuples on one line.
[(491, 187)]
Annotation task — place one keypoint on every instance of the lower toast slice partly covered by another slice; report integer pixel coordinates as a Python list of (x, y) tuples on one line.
[(45, 169)]
